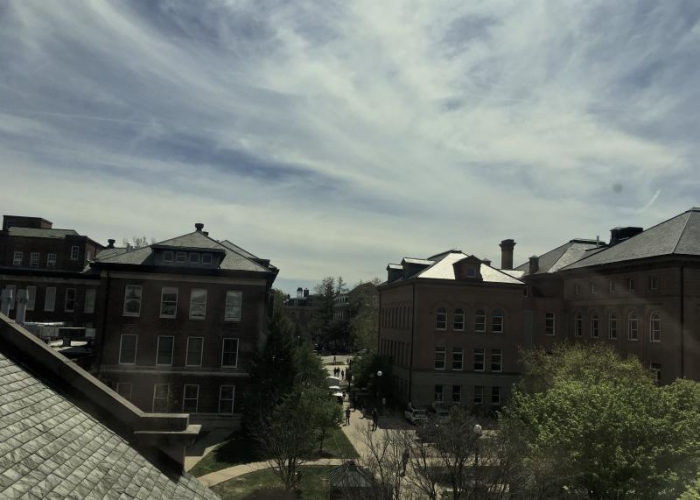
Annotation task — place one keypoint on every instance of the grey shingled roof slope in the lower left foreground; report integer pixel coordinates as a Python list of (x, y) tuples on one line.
[(51, 449)]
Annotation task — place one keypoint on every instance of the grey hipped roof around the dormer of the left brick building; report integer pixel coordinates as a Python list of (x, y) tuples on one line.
[(233, 259)]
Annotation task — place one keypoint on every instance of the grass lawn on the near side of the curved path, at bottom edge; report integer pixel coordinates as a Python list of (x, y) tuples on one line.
[(313, 486)]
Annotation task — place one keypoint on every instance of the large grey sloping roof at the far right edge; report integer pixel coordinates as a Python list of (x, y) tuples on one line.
[(678, 236)]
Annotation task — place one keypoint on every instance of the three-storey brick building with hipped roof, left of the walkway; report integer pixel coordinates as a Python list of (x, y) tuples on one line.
[(181, 320)]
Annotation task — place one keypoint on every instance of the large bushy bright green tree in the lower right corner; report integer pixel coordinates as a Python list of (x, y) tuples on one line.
[(590, 423)]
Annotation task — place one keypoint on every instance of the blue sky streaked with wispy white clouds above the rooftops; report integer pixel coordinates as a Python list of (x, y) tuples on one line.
[(336, 137)]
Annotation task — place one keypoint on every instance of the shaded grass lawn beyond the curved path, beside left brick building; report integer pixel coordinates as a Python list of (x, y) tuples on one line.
[(241, 450)]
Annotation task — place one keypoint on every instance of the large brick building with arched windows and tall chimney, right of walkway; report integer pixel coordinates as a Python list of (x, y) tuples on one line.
[(453, 324)]
